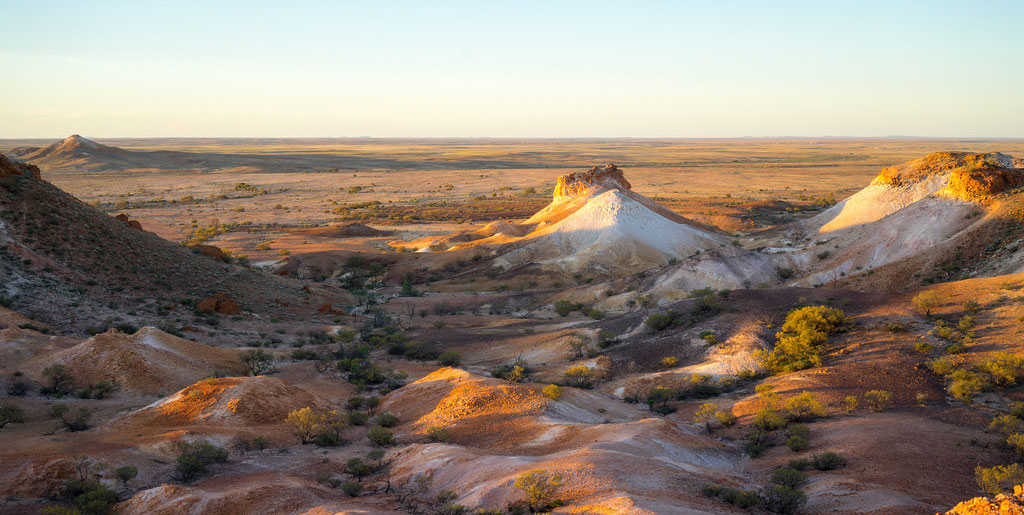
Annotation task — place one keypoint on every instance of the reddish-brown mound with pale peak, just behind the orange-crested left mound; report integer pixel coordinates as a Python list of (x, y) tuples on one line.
[(150, 363)]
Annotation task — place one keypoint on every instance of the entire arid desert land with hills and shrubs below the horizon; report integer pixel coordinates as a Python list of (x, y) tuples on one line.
[(491, 326)]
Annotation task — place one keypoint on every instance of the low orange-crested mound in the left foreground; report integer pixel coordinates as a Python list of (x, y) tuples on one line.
[(237, 401)]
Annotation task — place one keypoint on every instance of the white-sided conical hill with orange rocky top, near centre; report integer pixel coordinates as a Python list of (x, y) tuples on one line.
[(594, 222)]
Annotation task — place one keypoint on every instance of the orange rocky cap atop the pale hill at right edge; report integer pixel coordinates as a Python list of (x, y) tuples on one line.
[(969, 177)]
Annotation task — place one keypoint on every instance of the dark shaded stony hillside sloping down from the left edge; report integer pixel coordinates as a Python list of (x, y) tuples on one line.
[(60, 253)]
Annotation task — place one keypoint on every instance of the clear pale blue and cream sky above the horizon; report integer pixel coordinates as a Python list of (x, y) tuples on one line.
[(490, 69)]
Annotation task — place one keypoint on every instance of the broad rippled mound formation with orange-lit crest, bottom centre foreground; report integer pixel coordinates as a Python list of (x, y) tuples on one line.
[(499, 430)]
